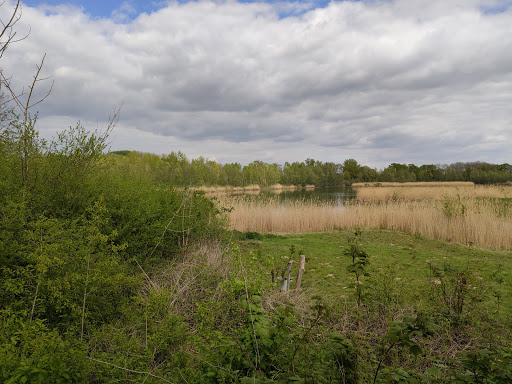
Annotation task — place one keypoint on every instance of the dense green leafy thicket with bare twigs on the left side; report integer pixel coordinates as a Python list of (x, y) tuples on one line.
[(79, 239)]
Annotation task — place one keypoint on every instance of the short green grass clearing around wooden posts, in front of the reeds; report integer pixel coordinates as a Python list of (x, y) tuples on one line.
[(400, 265)]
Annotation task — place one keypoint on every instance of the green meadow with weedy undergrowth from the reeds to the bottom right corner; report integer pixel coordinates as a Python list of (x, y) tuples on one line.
[(417, 310)]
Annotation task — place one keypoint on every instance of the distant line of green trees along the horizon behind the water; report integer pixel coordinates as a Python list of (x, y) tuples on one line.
[(176, 169)]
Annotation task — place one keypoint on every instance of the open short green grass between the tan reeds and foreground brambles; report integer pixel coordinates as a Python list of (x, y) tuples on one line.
[(407, 258)]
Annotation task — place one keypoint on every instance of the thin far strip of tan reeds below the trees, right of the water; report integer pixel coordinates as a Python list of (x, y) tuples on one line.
[(439, 192)]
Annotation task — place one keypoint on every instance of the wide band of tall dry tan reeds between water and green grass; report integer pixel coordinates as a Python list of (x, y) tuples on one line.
[(470, 218)]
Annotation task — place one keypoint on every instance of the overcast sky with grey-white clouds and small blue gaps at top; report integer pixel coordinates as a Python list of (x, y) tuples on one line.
[(381, 81)]
